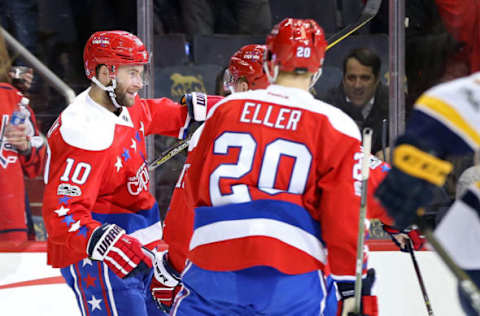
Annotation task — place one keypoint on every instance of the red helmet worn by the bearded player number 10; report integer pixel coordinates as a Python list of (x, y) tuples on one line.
[(113, 48)]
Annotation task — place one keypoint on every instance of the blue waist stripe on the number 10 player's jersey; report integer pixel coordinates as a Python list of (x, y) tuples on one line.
[(130, 221)]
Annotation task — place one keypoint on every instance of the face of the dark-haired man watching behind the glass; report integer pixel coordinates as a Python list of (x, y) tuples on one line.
[(359, 82)]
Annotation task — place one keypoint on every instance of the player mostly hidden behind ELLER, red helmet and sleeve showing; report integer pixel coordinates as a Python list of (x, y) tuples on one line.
[(245, 72)]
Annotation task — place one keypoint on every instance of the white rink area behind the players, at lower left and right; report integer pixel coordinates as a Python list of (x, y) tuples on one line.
[(397, 287)]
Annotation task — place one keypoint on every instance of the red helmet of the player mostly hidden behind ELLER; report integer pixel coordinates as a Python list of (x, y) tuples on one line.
[(247, 62)]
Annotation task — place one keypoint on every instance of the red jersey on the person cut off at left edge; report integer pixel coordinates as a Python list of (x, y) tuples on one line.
[(14, 166)]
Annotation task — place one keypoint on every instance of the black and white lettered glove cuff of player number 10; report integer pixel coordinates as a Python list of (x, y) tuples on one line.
[(102, 239)]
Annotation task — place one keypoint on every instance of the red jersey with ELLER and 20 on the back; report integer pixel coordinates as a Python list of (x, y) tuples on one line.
[(275, 180)]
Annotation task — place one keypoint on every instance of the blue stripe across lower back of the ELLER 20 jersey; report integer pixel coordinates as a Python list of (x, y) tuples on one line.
[(283, 211)]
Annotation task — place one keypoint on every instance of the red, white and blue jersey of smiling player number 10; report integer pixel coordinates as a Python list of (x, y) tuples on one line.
[(97, 171)]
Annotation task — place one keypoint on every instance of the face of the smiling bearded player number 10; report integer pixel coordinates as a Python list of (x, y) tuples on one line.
[(129, 81)]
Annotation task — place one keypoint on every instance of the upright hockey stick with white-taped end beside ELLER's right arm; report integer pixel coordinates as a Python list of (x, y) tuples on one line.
[(367, 144)]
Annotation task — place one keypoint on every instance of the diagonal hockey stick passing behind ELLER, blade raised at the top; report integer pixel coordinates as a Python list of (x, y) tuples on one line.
[(369, 11)]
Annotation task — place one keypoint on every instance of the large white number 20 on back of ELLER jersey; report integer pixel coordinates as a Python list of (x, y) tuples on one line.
[(268, 169)]
